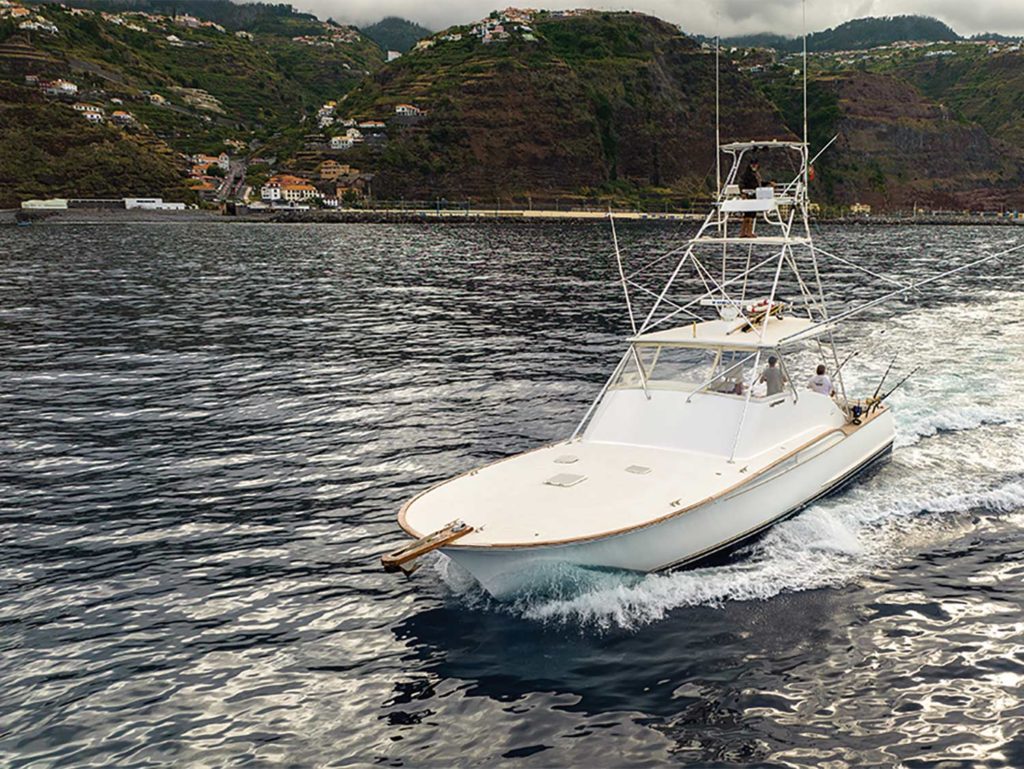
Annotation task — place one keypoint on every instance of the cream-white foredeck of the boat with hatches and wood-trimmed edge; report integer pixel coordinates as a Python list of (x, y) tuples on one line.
[(582, 490)]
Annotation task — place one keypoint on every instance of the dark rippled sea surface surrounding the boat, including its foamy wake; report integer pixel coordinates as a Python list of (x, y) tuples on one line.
[(208, 431)]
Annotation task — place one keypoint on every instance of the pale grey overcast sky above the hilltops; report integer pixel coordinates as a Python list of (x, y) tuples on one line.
[(738, 17)]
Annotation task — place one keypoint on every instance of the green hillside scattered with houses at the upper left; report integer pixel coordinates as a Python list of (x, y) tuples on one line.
[(217, 86)]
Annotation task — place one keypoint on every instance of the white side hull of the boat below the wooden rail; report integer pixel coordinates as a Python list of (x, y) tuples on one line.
[(696, 534)]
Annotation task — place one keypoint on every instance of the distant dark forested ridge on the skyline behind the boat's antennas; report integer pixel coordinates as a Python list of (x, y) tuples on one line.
[(860, 34)]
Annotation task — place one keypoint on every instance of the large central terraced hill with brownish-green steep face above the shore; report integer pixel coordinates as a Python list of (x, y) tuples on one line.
[(585, 104)]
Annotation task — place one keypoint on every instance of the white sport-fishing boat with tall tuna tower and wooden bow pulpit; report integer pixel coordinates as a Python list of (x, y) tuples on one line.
[(705, 435)]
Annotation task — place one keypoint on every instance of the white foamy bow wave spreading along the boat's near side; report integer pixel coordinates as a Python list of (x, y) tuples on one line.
[(831, 545)]
